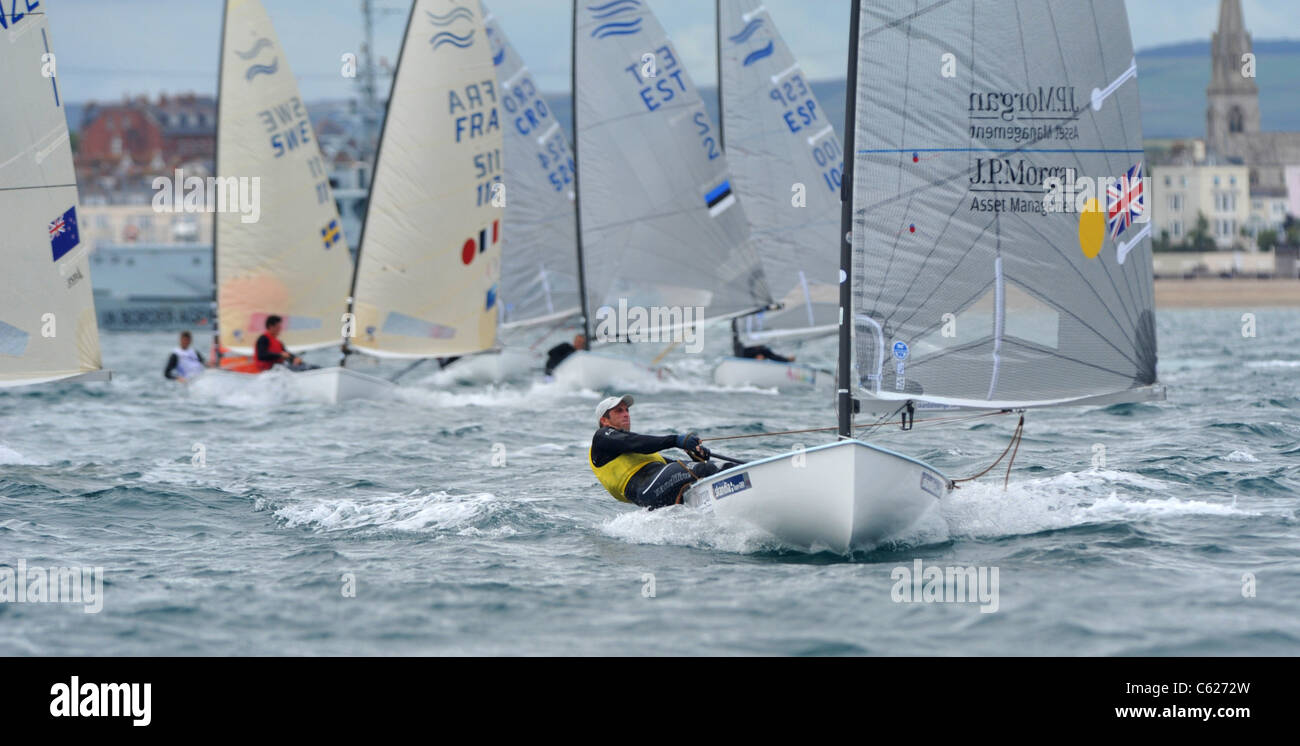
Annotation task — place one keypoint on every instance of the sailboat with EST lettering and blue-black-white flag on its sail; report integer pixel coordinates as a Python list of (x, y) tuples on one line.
[(660, 224)]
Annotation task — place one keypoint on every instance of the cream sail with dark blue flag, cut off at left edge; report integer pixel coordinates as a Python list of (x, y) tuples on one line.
[(49, 331)]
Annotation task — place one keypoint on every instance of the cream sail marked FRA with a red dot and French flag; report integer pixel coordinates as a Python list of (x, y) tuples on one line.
[(430, 259)]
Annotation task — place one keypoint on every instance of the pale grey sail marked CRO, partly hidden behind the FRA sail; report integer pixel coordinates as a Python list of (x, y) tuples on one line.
[(539, 276)]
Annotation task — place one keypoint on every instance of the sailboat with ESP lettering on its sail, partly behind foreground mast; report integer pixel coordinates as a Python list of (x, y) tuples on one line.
[(787, 163)]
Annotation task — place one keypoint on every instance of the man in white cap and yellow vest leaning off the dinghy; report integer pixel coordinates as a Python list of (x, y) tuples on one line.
[(630, 466)]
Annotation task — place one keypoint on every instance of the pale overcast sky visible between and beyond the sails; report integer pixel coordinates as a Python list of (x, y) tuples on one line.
[(109, 49)]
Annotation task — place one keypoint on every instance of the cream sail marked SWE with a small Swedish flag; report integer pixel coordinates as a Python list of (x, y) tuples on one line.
[(293, 262)]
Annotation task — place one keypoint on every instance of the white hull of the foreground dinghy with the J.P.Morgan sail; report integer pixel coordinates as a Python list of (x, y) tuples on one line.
[(843, 497)]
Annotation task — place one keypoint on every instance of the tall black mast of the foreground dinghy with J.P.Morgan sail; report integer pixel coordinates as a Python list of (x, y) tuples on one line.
[(844, 394)]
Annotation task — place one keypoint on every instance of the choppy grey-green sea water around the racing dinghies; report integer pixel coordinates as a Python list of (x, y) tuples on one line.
[(452, 552)]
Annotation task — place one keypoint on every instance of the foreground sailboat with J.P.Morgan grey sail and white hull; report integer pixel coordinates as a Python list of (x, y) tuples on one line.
[(969, 288)]
